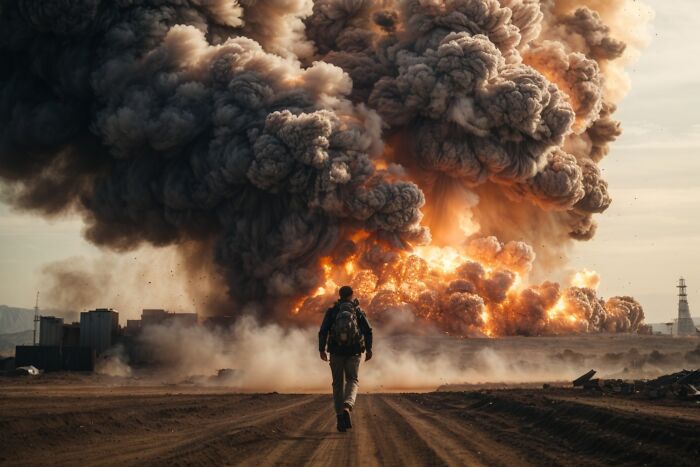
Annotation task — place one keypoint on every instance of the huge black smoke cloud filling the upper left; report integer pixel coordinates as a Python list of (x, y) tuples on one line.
[(161, 121)]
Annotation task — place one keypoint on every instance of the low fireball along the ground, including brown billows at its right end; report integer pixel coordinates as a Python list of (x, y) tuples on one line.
[(480, 291)]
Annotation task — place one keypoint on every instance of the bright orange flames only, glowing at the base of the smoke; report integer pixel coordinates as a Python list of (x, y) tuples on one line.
[(442, 287)]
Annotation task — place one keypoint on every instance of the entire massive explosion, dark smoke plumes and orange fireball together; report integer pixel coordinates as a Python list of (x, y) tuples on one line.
[(424, 151)]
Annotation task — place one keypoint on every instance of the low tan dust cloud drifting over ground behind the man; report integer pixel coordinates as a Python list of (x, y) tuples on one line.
[(270, 357)]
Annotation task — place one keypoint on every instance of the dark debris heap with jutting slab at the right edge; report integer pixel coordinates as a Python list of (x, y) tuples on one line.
[(683, 385)]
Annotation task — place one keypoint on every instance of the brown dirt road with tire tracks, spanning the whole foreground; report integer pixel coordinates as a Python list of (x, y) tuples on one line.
[(166, 426)]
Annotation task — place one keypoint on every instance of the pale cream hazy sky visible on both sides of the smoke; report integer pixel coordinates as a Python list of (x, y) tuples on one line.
[(648, 238)]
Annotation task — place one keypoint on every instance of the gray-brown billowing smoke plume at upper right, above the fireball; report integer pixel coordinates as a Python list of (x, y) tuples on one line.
[(484, 94)]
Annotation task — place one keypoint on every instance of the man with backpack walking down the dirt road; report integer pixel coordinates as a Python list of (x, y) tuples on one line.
[(346, 333)]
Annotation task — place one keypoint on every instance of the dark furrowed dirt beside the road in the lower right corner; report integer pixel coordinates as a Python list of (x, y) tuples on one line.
[(552, 430)]
